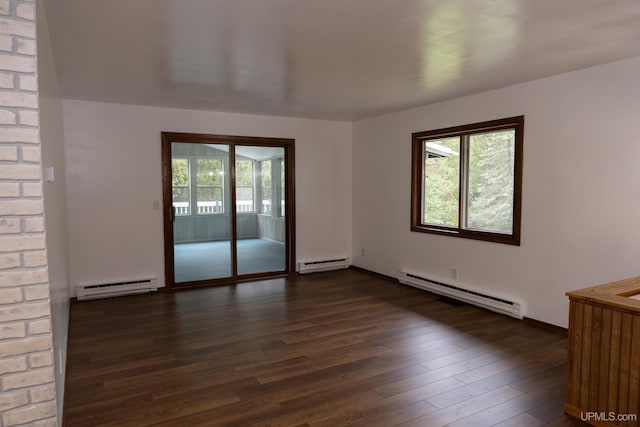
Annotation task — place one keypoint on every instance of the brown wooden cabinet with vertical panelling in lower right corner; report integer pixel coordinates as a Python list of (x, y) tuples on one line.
[(603, 370)]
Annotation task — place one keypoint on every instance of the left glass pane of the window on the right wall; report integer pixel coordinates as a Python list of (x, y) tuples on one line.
[(441, 181)]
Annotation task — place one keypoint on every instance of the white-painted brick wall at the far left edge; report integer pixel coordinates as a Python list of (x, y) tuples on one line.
[(27, 390)]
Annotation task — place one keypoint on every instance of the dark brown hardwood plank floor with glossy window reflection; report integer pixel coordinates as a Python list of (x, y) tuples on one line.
[(329, 349)]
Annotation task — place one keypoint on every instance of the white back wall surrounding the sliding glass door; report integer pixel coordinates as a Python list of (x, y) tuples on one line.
[(113, 162)]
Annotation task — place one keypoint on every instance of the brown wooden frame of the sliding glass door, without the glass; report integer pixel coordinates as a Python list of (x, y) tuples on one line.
[(290, 218)]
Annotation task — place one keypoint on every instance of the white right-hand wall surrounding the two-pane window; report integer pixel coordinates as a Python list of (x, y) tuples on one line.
[(580, 195)]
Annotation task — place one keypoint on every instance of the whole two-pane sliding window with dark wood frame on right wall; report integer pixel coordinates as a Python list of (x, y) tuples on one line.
[(467, 181)]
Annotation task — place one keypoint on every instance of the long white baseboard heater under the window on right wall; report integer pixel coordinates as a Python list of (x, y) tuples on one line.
[(491, 302)]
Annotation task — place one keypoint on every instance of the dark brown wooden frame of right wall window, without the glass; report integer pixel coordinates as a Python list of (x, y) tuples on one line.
[(417, 180)]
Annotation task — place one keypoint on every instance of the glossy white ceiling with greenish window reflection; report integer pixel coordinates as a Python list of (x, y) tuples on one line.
[(331, 59)]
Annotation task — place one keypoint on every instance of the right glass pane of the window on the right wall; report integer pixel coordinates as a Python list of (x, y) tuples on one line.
[(491, 181)]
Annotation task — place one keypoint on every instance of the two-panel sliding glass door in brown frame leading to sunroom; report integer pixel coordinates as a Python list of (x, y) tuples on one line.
[(228, 204)]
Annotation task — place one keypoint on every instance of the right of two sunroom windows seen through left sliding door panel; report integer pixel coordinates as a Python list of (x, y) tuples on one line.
[(209, 186)]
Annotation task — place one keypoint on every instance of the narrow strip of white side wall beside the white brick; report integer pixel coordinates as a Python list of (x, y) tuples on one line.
[(52, 138)]
